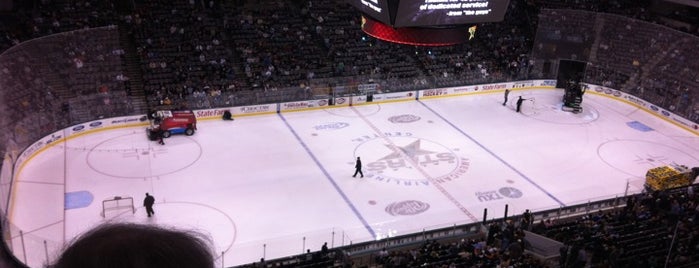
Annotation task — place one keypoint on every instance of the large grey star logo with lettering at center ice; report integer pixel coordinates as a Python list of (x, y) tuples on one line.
[(399, 158)]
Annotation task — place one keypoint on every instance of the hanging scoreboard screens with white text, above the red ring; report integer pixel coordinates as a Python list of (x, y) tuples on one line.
[(431, 13)]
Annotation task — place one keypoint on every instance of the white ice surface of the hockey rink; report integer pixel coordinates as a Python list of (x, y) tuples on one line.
[(274, 185)]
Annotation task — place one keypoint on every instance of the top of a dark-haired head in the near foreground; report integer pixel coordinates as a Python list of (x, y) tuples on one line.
[(129, 245)]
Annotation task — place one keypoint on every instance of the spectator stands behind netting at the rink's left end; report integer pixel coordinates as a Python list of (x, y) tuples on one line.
[(59, 70)]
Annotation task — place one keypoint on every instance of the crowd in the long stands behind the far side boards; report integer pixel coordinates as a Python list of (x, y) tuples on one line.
[(203, 54)]
